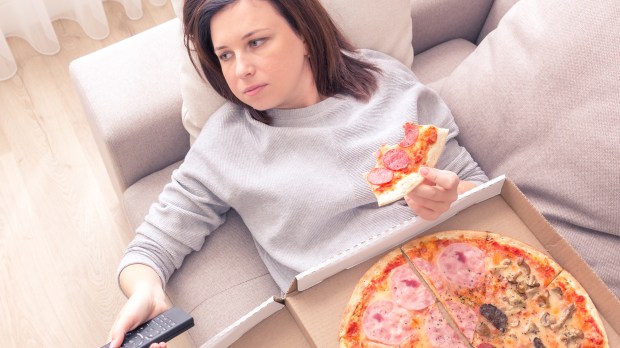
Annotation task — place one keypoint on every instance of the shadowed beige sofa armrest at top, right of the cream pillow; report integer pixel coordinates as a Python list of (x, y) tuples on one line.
[(438, 21)]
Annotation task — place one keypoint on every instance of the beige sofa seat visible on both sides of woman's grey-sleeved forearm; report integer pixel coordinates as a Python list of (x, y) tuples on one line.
[(222, 281)]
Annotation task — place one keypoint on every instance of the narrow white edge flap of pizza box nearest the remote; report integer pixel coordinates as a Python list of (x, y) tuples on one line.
[(233, 332)]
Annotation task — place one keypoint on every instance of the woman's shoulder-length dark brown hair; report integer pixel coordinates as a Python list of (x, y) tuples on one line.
[(331, 55)]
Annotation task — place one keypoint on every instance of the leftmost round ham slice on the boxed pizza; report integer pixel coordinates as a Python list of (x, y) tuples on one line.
[(386, 322)]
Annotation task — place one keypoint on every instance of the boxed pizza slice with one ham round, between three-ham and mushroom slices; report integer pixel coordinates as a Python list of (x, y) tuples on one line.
[(453, 265)]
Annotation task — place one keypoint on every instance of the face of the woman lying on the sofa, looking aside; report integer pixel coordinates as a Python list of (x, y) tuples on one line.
[(263, 60)]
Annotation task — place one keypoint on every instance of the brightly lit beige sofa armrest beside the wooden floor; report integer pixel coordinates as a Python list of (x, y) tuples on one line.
[(131, 95)]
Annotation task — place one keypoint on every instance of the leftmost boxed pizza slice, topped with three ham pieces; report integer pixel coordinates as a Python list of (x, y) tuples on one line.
[(391, 307)]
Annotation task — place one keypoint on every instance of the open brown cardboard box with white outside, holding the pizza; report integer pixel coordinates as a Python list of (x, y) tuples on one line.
[(309, 315)]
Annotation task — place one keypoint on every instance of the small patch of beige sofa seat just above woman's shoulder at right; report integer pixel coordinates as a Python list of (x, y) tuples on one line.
[(435, 64)]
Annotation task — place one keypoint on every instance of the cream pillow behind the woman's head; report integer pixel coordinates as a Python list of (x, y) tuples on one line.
[(365, 24)]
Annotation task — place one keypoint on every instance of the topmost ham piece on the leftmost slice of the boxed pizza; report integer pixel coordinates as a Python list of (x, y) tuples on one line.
[(407, 289)]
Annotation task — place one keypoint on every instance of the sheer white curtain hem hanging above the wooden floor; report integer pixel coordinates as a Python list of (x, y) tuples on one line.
[(32, 20)]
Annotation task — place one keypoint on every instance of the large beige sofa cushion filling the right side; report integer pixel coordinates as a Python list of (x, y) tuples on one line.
[(538, 101)]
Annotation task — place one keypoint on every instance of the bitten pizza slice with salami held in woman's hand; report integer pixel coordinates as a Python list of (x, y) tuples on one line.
[(396, 171)]
